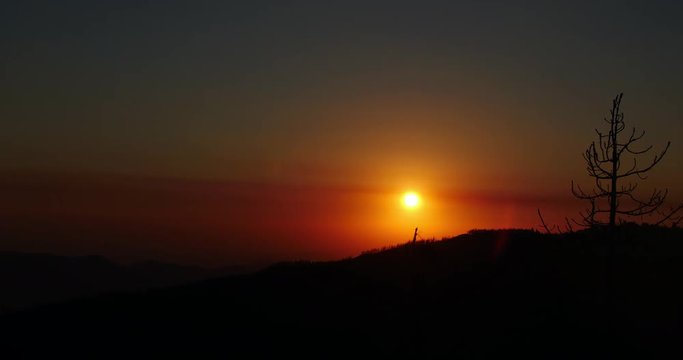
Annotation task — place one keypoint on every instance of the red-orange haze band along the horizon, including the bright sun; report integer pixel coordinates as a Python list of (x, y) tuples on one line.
[(204, 222)]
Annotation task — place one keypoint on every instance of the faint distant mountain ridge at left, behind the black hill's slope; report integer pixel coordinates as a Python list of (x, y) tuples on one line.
[(28, 279)]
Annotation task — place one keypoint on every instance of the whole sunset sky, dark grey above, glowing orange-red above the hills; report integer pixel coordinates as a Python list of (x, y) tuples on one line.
[(216, 132)]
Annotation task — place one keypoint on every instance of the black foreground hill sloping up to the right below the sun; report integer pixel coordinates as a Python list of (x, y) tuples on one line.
[(480, 295)]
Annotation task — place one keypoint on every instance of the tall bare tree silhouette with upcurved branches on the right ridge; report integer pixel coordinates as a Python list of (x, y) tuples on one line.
[(613, 163)]
